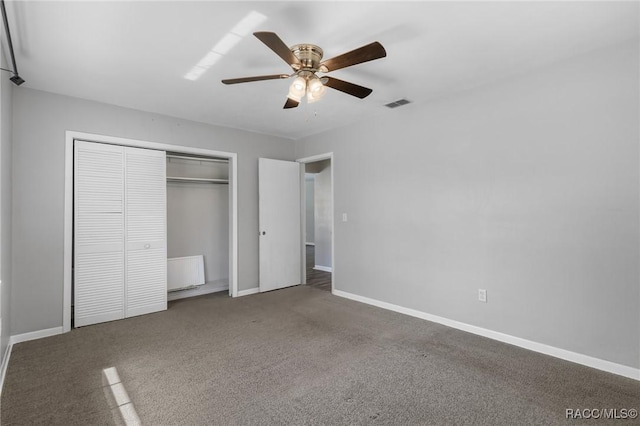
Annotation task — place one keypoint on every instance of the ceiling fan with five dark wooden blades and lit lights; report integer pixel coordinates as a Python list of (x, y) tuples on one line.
[(306, 62)]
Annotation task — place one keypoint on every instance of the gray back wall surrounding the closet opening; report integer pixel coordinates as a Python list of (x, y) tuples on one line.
[(40, 120)]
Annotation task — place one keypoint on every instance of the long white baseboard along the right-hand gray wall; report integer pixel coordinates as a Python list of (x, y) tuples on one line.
[(589, 361)]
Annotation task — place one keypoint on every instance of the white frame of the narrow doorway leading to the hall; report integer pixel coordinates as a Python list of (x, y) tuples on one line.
[(303, 221)]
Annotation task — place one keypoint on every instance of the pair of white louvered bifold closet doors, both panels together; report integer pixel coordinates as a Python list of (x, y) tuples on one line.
[(120, 255)]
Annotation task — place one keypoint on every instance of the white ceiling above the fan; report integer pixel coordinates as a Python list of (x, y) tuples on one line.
[(135, 54)]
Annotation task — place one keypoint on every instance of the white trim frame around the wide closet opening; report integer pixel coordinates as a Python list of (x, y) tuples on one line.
[(71, 136)]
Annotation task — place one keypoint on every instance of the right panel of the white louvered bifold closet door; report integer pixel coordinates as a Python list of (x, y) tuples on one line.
[(146, 231)]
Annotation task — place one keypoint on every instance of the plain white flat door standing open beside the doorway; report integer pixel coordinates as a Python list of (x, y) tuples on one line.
[(279, 217)]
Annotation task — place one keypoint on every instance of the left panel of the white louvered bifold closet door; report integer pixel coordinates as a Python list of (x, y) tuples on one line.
[(98, 233)]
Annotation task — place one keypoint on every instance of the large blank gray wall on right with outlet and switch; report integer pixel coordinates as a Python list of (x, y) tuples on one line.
[(527, 188)]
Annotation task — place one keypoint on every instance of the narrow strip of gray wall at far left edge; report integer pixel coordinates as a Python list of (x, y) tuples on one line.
[(6, 91)]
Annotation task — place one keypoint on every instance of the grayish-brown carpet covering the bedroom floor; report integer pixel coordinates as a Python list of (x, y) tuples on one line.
[(296, 356)]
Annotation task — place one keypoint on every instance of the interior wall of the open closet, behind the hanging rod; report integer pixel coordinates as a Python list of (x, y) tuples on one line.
[(198, 219)]
